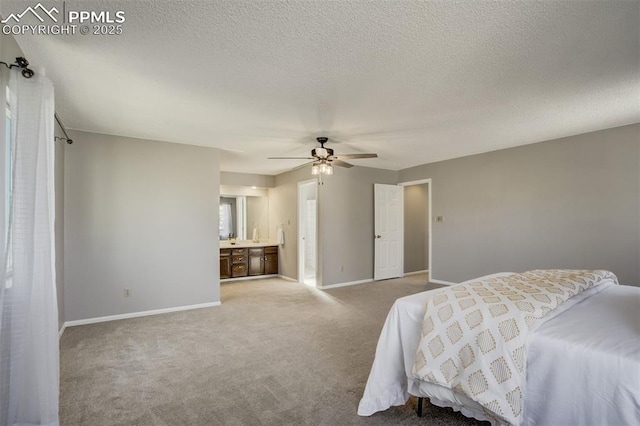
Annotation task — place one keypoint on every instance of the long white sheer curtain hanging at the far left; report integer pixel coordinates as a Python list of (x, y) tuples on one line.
[(29, 366)]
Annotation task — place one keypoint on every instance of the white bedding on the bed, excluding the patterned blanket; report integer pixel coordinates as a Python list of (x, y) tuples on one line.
[(582, 367)]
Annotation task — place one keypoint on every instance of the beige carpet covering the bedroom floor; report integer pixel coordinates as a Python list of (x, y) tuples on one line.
[(275, 353)]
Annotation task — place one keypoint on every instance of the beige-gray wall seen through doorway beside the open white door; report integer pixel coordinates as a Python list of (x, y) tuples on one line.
[(416, 228)]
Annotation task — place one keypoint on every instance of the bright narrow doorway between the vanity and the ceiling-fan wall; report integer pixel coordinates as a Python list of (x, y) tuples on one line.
[(308, 232)]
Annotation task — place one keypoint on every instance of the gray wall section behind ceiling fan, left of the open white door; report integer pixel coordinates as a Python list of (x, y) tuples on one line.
[(346, 225)]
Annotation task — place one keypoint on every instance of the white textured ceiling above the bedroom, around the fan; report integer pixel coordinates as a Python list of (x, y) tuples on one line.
[(414, 81)]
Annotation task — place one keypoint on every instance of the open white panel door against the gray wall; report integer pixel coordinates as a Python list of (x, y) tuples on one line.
[(388, 231)]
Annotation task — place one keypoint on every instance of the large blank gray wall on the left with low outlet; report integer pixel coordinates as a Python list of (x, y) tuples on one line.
[(141, 215)]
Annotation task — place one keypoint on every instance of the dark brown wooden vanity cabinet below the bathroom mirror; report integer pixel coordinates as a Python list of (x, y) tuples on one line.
[(252, 261)]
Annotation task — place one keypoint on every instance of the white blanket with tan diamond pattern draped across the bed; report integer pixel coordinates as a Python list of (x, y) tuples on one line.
[(474, 335)]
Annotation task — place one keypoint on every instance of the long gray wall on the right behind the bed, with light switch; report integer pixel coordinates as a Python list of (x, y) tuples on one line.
[(568, 203)]
